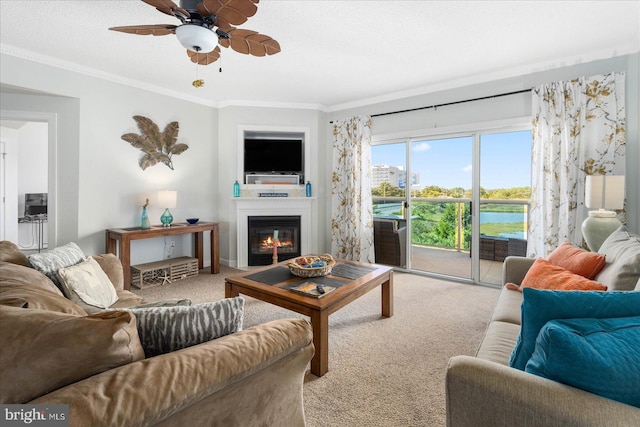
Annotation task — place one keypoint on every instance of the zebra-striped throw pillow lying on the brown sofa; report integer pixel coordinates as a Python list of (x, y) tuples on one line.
[(166, 329)]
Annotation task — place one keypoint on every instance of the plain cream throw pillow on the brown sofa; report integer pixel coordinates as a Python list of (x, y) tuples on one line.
[(88, 283)]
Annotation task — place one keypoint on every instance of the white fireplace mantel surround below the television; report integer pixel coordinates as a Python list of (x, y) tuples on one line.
[(274, 206)]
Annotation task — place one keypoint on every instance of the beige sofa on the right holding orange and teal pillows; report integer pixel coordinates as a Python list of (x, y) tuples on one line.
[(484, 391)]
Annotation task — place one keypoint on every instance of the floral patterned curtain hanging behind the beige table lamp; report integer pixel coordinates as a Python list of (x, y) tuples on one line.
[(578, 130)]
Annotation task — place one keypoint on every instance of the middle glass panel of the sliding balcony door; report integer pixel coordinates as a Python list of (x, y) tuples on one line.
[(440, 203)]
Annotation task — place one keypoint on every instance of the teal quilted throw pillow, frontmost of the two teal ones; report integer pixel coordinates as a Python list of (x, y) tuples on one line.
[(601, 356)]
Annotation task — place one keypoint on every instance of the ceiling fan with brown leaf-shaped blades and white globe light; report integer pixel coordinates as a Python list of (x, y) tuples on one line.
[(207, 25)]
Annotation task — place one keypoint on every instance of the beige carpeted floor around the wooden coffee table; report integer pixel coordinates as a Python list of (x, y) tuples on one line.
[(382, 371)]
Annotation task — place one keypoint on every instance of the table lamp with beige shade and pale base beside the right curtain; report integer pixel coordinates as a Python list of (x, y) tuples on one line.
[(602, 193)]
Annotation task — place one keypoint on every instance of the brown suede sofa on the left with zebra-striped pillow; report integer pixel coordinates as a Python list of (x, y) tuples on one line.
[(53, 352)]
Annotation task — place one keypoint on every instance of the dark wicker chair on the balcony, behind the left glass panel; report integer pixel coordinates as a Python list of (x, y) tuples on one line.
[(390, 242)]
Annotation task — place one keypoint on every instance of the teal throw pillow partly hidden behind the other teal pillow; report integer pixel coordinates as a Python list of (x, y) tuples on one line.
[(540, 306)]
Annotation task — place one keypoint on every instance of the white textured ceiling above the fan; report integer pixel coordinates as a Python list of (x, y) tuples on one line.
[(334, 53)]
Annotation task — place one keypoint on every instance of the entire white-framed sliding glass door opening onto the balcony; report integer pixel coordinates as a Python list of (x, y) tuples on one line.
[(462, 198)]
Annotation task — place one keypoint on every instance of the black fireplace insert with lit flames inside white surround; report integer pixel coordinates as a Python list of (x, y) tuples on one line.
[(260, 238)]
